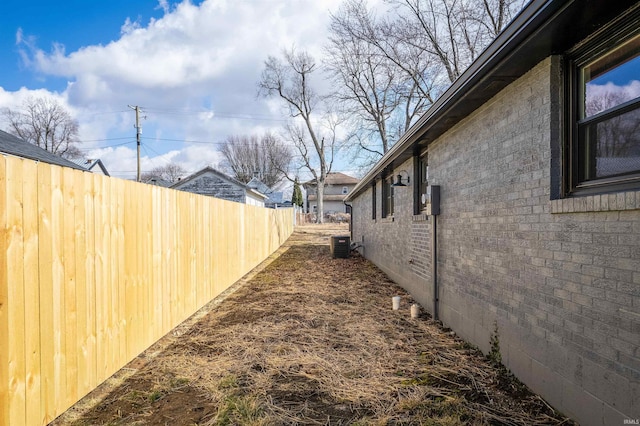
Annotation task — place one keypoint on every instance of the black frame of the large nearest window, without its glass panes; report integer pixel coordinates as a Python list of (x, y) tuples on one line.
[(575, 158)]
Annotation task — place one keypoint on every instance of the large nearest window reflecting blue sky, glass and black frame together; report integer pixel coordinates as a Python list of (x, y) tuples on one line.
[(604, 129)]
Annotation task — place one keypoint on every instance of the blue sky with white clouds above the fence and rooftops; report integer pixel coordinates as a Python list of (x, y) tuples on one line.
[(192, 67)]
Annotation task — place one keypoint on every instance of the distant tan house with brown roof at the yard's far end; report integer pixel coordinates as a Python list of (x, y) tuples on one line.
[(337, 186)]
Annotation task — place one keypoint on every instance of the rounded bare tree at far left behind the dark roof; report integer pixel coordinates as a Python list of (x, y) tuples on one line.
[(45, 123)]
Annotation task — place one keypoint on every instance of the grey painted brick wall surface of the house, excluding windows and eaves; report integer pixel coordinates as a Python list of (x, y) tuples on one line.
[(560, 278)]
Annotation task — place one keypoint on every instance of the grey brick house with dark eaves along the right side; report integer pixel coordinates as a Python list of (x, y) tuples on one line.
[(538, 238)]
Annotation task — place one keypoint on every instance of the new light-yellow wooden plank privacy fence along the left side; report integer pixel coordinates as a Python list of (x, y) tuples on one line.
[(93, 270)]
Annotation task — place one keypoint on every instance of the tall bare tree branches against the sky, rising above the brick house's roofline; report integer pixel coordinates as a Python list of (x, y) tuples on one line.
[(388, 70)]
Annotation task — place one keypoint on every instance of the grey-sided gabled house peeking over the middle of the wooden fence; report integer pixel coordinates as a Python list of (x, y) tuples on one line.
[(209, 181)]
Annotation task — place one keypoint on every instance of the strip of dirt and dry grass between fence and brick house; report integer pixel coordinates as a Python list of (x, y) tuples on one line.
[(306, 339)]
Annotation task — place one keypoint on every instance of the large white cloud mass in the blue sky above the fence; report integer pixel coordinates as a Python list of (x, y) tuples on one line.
[(194, 71)]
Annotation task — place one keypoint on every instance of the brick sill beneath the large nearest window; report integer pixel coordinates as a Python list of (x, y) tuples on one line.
[(629, 200)]
